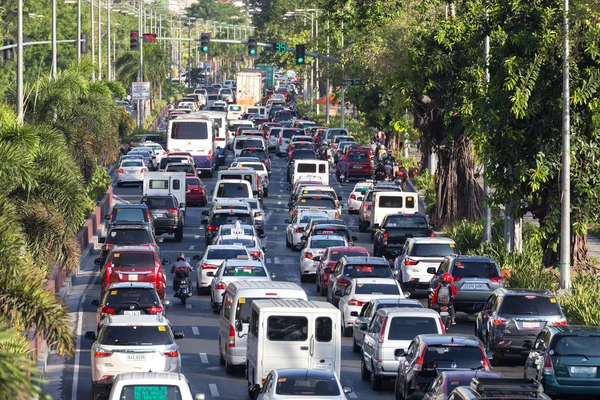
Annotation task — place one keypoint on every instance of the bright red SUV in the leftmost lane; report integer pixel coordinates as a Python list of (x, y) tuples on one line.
[(134, 264)]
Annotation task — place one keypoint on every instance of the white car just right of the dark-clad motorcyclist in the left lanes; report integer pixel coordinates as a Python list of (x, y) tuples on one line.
[(212, 258)]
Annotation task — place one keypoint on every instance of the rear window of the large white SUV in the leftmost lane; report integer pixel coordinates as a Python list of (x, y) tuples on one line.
[(137, 335)]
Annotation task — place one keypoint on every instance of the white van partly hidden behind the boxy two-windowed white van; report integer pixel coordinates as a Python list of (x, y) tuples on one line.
[(237, 306)]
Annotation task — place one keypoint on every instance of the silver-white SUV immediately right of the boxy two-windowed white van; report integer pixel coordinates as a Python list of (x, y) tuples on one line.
[(392, 329)]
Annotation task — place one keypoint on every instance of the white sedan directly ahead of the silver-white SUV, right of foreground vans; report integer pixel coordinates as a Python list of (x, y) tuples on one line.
[(362, 290)]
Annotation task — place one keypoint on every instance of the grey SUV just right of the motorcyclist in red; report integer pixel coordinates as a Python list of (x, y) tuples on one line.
[(475, 278)]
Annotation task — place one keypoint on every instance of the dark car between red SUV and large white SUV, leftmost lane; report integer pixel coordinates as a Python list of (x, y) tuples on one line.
[(129, 298)]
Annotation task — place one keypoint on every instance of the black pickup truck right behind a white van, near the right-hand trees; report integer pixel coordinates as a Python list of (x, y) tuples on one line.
[(395, 229)]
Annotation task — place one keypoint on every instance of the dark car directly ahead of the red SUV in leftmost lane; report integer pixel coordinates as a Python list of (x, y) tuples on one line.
[(126, 234)]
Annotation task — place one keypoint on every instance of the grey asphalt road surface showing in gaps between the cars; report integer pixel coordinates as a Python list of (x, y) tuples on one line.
[(200, 360)]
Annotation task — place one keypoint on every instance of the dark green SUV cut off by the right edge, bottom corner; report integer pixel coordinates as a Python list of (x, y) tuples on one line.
[(566, 360)]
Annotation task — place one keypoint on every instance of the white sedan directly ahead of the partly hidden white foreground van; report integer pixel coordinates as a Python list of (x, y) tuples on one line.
[(236, 270)]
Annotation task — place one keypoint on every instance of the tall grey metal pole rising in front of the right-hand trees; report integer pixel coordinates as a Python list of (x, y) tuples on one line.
[(565, 203)]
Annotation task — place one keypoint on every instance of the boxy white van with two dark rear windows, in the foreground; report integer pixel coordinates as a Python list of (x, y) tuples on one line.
[(292, 334)]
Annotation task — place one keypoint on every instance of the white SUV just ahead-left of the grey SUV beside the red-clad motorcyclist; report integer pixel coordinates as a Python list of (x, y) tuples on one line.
[(418, 255)]
